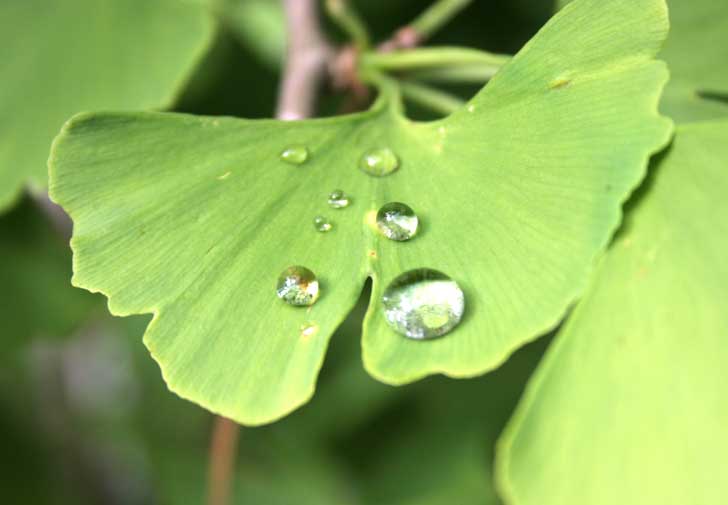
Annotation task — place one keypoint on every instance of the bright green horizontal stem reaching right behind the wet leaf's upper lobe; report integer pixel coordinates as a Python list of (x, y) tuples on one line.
[(434, 57)]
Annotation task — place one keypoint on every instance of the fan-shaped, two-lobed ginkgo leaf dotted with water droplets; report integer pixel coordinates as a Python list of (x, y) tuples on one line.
[(194, 218)]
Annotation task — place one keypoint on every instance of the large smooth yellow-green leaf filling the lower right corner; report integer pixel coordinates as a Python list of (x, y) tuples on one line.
[(629, 405)]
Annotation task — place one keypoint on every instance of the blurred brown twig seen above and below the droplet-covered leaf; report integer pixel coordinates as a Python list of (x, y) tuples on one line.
[(306, 60)]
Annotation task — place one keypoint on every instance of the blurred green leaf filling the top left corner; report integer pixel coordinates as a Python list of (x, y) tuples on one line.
[(61, 57)]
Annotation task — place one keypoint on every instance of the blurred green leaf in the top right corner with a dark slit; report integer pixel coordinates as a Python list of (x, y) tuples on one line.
[(694, 52)]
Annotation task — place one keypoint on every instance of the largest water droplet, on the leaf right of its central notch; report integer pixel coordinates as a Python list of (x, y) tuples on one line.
[(423, 304)]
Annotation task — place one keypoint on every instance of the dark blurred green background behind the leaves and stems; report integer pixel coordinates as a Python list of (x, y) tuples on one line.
[(85, 417)]
